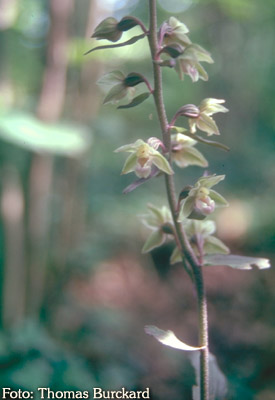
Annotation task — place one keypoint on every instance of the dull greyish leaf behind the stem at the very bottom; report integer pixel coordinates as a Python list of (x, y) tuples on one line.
[(217, 380)]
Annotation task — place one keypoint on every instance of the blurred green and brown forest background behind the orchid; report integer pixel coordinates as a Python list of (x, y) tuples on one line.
[(75, 290)]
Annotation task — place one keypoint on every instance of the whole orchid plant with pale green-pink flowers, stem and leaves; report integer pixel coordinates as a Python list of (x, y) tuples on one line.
[(185, 221)]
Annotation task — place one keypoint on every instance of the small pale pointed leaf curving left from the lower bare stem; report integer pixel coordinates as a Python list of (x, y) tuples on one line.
[(168, 338)]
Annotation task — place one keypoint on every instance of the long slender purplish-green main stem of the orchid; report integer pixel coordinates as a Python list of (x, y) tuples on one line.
[(185, 246)]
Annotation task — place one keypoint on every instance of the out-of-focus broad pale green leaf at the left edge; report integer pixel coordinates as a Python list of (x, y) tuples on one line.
[(26, 131)]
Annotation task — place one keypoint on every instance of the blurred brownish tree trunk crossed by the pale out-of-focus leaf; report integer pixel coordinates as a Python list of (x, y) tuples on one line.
[(49, 109)]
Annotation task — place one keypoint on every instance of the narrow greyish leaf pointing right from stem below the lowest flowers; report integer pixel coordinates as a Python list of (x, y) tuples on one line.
[(236, 261)]
